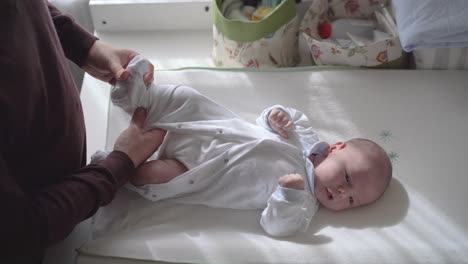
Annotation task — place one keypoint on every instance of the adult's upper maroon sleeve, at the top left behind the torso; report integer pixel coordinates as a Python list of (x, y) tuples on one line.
[(75, 40)]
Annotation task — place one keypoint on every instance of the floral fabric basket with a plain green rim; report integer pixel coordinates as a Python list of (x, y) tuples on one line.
[(271, 42)]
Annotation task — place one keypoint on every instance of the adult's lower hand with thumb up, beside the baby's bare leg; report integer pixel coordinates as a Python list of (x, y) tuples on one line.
[(139, 145)]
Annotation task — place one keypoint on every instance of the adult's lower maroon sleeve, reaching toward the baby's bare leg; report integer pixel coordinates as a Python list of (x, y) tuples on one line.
[(31, 223)]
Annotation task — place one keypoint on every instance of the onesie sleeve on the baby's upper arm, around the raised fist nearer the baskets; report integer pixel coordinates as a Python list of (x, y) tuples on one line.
[(301, 131)]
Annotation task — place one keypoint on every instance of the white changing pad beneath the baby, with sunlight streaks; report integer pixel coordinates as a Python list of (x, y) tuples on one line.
[(419, 117)]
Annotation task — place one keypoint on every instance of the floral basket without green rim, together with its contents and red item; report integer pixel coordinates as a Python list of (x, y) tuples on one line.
[(352, 32)]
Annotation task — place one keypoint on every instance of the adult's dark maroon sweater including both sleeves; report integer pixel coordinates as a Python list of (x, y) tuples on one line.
[(45, 187)]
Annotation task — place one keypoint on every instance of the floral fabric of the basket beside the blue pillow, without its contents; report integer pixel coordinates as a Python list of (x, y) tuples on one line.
[(384, 52)]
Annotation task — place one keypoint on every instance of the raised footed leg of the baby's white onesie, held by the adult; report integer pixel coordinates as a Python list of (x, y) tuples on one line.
[(167, 105)]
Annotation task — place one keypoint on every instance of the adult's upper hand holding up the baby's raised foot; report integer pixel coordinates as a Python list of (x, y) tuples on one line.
[(108, 64)]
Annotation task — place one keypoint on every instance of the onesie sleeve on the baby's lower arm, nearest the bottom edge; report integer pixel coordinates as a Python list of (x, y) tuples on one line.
[(288, 211)]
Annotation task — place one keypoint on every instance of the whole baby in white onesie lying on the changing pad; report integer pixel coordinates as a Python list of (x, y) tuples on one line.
[(211, 156)]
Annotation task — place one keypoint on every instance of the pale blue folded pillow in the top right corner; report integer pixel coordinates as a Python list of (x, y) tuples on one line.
[(432, 23)]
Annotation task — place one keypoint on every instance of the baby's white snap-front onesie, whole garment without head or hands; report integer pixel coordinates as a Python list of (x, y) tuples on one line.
[(232, 163)]
